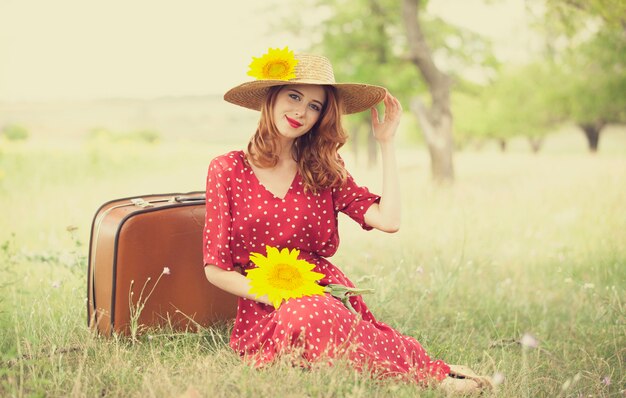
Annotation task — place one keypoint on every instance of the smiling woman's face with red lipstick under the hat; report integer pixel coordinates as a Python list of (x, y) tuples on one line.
[(297, 109)]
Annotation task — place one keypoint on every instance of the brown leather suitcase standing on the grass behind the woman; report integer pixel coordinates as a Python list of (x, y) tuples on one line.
[(145, 258)]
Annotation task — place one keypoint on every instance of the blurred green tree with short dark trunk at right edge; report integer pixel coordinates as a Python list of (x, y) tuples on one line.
[(593, 74)]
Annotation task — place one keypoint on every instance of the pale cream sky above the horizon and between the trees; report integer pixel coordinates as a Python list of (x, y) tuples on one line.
[(77, 49)]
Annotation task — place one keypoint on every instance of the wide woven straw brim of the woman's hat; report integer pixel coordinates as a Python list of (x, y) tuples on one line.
[(355, 97)]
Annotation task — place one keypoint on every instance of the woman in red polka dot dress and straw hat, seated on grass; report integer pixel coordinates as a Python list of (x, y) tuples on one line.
[(285, 191)]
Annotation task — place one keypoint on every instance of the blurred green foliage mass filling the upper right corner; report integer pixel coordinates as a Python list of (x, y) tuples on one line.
[(581, 77)]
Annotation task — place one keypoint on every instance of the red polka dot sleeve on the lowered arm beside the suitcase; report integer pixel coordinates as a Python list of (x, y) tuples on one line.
[(217, 224)]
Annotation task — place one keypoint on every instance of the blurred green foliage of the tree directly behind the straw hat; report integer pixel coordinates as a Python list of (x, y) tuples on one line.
[(366, 41)]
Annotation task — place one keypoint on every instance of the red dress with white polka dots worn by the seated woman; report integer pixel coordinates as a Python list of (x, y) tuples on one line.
[(242, 216)]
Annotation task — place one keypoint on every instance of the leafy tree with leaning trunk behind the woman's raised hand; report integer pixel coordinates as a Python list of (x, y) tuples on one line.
[(367, 41)]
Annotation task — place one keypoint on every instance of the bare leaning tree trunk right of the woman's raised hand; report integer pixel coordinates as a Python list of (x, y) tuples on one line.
[(435, 121)]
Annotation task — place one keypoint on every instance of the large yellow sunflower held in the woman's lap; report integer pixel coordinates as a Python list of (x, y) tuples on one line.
[(282, 276)]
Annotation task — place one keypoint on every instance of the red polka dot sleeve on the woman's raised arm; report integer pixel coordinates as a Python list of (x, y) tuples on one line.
[(354, 201)]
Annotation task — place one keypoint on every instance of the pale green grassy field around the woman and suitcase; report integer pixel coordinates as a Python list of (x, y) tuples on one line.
[(521, 244)]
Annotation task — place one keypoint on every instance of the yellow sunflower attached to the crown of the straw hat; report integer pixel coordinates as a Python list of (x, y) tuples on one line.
[(276, 64)]
